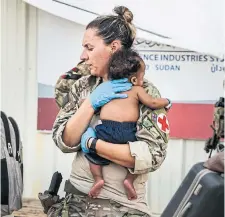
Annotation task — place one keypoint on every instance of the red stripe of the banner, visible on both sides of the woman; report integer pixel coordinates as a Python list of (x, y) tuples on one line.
[(187, 121)]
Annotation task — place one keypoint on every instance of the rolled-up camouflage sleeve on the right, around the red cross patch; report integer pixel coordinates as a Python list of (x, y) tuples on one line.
[(150, 149)]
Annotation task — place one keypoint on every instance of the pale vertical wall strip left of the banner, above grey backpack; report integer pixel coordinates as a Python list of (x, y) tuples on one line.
[(18, 76)]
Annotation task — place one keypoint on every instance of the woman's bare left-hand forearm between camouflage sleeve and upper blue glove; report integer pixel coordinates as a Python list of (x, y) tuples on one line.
[(77, 124)]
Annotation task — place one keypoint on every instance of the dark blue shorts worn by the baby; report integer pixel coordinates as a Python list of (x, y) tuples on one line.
[(113, 132)]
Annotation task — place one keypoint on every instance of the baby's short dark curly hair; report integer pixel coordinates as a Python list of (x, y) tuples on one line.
[(123, 64)]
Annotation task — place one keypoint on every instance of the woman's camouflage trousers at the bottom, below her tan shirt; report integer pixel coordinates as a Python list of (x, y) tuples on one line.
[(80, 205)]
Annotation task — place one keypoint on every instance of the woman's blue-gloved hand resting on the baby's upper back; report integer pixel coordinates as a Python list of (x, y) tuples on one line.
[(109, 90)]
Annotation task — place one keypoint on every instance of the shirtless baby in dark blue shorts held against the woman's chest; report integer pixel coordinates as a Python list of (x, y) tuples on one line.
[(119, 116)]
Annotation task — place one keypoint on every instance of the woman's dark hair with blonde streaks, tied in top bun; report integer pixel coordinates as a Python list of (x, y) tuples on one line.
[(115, 27)]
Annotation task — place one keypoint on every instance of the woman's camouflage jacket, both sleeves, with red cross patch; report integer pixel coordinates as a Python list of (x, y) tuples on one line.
[(153, 126)]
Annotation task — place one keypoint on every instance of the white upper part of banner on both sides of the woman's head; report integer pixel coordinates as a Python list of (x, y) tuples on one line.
[(179, 74)]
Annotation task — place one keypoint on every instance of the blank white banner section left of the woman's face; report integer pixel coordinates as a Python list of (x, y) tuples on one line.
[(59, 46)]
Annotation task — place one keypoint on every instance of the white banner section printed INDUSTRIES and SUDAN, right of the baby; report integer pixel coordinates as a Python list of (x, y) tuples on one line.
[(183, 75)]
